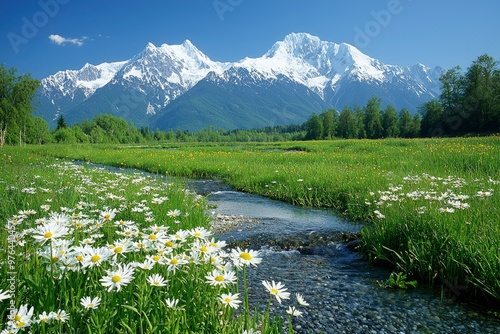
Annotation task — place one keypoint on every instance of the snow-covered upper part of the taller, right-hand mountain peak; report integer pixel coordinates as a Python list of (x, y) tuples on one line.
[(322, 65)]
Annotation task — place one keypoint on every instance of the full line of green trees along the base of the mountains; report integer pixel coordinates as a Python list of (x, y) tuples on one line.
[(469, 103)]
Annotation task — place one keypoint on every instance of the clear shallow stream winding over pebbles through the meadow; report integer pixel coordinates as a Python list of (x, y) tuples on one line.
[(305, 249)]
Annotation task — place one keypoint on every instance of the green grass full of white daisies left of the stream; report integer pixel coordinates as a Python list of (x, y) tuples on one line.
[(127, 219)]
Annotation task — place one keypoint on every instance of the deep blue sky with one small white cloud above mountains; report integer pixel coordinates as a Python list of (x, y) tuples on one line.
[(401, 32)]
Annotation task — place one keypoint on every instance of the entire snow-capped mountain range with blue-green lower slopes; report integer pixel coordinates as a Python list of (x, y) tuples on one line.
[(179, 87)]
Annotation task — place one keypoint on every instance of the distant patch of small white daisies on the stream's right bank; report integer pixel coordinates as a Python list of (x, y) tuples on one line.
[(432, 194)]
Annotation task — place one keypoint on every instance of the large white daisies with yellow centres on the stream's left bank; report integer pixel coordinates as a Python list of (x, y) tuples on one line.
[(115, 239)]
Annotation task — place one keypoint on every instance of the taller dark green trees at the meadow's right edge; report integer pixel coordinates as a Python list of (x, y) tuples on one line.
[(469, 103)]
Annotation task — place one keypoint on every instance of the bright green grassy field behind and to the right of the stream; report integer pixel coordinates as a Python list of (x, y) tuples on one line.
[(431, 206)]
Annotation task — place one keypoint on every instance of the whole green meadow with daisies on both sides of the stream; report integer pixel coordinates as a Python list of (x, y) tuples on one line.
[(431, 208)]
